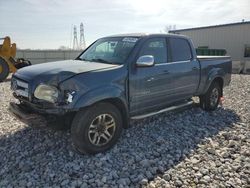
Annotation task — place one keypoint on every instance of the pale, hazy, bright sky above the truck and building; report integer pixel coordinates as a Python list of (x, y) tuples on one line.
[(48, 24)]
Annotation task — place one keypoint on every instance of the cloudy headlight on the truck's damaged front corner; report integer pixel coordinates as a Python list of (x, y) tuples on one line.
[(46, 92)]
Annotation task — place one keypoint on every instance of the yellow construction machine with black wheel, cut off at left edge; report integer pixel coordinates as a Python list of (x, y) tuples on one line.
[(8, 63)]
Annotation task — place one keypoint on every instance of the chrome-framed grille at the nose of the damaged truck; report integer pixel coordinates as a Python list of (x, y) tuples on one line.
[(20, 88)]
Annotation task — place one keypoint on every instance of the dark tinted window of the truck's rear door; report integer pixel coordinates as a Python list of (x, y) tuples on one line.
[(180, 49)]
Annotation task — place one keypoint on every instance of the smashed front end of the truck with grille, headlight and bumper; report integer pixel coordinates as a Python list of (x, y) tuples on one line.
[(41, 104)]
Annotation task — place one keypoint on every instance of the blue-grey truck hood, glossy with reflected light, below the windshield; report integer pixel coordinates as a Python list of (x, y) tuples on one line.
[(59, 70)]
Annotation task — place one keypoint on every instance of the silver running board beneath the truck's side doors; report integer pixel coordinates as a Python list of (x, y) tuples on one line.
[(189, 103)]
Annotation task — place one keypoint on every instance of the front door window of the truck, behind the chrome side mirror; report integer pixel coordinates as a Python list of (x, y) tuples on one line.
[(157, 48)]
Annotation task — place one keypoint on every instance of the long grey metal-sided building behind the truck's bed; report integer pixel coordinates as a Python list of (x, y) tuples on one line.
[(233, 37)]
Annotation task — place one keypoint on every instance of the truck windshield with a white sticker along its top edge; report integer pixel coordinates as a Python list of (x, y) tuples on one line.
[(113, 50)]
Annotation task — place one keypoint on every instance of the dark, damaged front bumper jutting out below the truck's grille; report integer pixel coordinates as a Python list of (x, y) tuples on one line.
[(19, 111)]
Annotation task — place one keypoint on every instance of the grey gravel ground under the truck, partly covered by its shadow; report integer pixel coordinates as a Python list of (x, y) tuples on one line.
[(192, 148)]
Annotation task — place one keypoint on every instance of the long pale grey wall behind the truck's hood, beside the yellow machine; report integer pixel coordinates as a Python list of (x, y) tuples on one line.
[(43, 56)]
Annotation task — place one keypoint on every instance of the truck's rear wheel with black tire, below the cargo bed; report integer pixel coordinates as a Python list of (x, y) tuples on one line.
[(210, 100)]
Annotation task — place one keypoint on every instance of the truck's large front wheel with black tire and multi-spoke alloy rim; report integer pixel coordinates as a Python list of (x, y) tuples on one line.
[(83, 137)]
